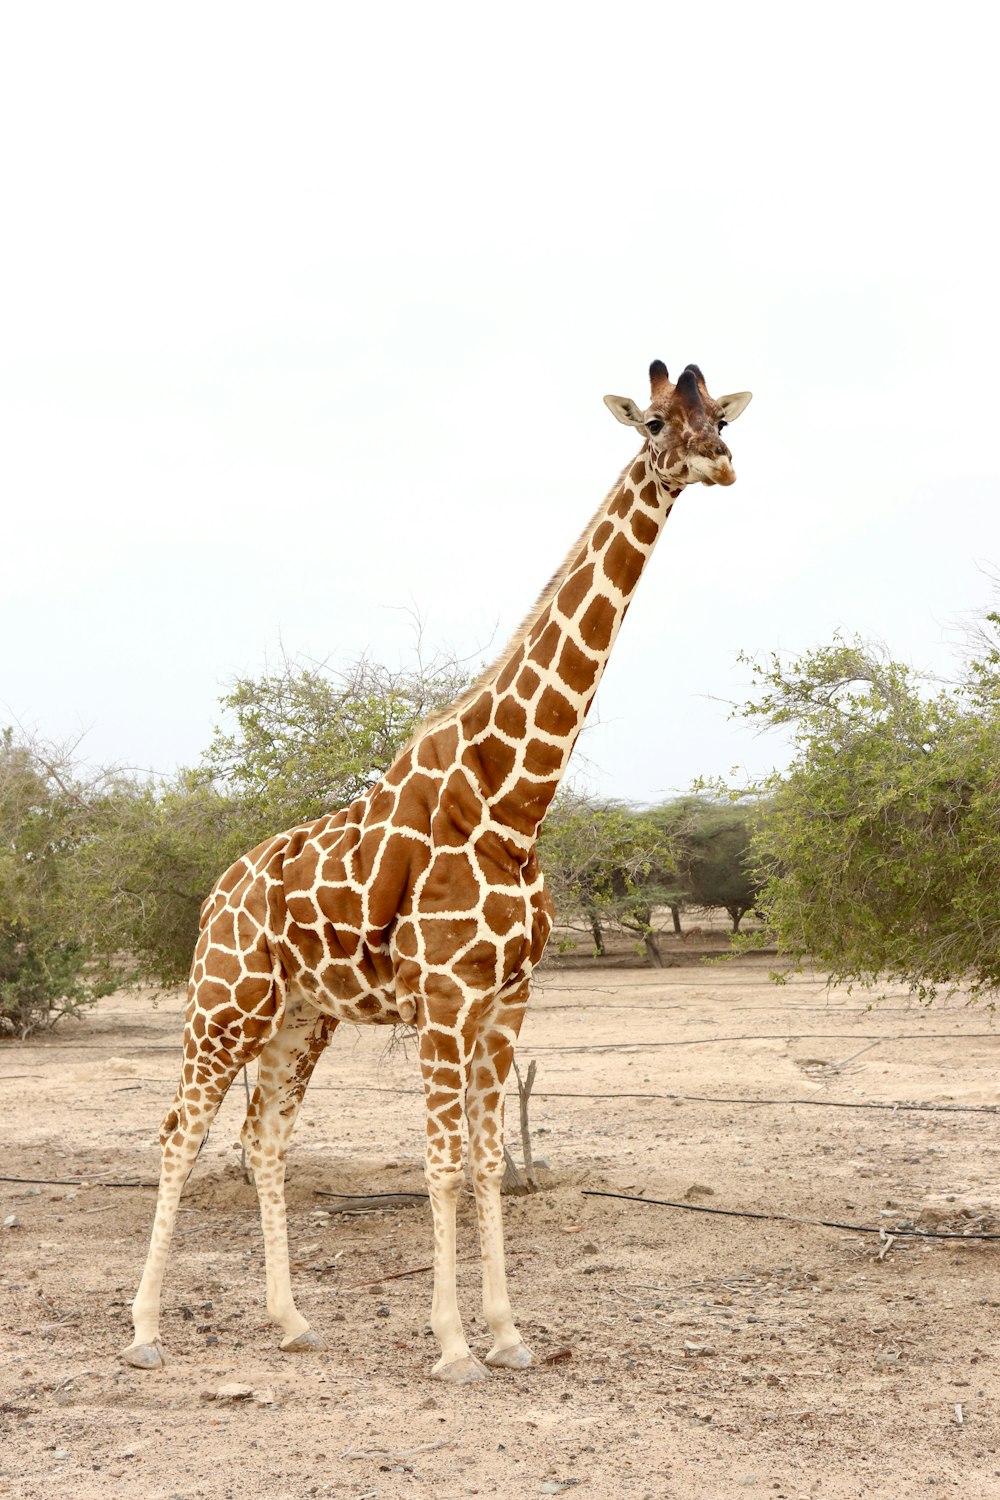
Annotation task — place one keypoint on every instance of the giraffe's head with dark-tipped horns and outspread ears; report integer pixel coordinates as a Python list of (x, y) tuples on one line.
[(683, 428)]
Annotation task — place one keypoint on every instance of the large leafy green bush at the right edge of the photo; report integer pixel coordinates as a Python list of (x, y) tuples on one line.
[(879, 848)]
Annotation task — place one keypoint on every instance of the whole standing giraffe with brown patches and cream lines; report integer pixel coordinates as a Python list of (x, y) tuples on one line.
[(424, 904)]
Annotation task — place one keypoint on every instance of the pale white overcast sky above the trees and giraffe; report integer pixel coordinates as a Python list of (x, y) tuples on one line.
[(308, 313)]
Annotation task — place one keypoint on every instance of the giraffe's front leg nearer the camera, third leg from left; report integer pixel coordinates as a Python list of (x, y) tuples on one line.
[(446, 1078)]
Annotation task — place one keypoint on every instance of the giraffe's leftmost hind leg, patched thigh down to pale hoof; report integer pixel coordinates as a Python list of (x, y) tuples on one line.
[(218, 1043)]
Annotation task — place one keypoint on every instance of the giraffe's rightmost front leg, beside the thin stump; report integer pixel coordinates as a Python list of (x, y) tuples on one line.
[(491, 1066)]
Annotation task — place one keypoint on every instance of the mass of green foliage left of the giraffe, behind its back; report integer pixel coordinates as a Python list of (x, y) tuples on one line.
[(103, 875)]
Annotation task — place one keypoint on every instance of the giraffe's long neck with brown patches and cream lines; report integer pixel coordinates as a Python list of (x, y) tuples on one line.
[(524, 719)]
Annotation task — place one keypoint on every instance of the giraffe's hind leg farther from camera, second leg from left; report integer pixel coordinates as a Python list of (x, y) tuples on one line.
[(286, 1069)]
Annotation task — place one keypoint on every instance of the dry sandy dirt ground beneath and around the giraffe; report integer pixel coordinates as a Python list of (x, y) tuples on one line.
[(681, 1354)]
